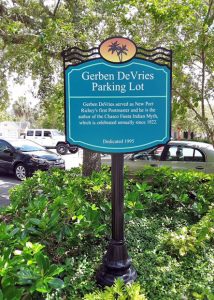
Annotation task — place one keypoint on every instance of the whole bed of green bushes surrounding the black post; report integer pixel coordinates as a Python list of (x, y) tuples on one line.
[(56, 230)]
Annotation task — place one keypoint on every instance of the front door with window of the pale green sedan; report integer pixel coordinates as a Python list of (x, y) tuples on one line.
[(183, 157)]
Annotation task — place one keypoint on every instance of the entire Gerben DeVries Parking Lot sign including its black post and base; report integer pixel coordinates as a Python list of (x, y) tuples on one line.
[(117, 100)]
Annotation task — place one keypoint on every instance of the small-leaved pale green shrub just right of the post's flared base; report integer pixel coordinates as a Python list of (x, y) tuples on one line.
[(161, 274)]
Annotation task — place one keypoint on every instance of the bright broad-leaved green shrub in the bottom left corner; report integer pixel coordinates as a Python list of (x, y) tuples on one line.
[(24, 268)]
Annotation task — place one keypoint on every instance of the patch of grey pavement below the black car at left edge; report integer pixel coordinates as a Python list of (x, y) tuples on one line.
[(6, 183)]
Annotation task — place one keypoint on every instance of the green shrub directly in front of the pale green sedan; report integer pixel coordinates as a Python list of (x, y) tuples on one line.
[(164, 187)]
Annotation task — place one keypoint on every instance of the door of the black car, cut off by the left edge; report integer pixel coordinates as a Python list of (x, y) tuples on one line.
[(6, 156)]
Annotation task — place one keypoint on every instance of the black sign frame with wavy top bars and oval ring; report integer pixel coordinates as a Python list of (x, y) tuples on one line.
[(159, 56)]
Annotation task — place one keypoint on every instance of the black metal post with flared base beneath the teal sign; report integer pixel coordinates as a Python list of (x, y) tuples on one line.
[(116, 262)]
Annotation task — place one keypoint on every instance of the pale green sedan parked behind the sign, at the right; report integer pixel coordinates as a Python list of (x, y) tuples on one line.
[(176, 154)]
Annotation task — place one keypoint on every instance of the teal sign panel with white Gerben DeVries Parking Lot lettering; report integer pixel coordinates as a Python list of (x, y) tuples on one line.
[(118, 108)]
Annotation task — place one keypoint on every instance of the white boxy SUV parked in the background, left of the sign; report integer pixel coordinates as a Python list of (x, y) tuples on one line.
[(50, 139)]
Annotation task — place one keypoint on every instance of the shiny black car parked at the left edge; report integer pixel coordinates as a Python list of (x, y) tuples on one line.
[(22, 158)]
